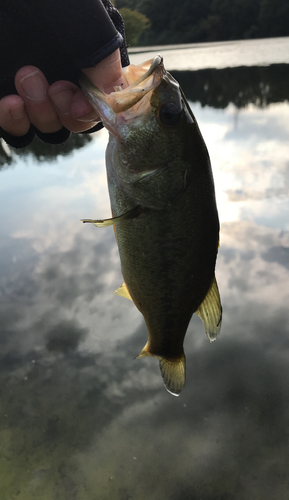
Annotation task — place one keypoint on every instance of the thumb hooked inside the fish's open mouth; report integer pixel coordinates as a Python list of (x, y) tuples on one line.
[(107, 74)]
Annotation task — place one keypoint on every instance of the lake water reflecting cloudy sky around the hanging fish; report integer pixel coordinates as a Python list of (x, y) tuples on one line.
[(80, 418)]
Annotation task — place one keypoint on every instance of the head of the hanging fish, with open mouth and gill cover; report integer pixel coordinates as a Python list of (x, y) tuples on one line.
[(151, 128)]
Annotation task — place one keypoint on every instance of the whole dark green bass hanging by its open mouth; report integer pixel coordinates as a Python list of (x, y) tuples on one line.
[(164, 210)]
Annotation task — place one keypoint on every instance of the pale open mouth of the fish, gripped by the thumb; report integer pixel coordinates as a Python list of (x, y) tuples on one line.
[(141, 78)]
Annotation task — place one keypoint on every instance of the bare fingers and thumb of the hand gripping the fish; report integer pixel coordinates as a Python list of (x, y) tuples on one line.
[(49, 108)]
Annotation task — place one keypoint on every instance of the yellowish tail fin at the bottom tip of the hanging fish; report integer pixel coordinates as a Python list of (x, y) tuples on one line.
[(173, 371)]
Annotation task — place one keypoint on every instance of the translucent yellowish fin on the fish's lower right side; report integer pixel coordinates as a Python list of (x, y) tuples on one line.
[(210, 311)]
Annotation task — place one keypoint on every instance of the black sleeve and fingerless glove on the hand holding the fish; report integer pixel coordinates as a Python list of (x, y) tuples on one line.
[(58, 36)]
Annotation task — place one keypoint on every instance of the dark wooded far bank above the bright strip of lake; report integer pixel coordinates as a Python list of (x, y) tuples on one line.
[(187, 21)]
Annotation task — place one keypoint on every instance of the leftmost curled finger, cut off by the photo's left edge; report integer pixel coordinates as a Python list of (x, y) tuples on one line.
[(13, 117)]
